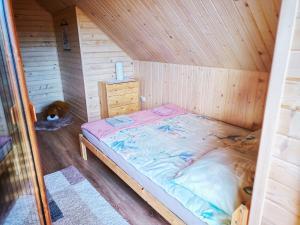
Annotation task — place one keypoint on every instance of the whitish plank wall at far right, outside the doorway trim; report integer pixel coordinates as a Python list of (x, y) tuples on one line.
[(282, 202)]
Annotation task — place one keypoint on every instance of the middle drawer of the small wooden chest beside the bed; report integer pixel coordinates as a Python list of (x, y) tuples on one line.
[(120, 100)]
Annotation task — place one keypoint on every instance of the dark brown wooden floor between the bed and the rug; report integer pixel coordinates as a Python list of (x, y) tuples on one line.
[(60, 149)]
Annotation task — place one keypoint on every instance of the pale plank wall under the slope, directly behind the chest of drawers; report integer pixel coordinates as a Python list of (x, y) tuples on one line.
[(99, 55)]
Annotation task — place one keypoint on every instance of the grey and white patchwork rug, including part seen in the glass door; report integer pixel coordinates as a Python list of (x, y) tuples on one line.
[(72, 201)]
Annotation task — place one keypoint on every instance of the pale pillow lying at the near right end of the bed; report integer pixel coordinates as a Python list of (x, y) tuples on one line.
[(219, 178)]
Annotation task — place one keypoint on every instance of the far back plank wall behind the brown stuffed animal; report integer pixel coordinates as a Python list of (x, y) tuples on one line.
[(38, 47)]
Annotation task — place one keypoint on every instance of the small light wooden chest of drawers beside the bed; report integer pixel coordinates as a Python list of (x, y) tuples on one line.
[(117, 98)]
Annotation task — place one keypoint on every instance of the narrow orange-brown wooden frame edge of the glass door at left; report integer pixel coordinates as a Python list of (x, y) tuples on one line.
[(20, 92)]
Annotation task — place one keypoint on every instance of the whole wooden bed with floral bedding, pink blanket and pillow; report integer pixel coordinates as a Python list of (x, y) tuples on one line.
[(190, 168)]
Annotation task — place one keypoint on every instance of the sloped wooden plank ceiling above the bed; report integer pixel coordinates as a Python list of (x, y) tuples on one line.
[(219, 33)]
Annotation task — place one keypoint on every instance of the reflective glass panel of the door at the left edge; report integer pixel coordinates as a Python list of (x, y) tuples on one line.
[(18, 182)]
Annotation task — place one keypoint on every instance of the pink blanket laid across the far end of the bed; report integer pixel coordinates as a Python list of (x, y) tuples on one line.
[(100, 128)]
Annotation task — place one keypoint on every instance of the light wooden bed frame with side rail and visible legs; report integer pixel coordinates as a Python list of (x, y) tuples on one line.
[(239, 217)]
